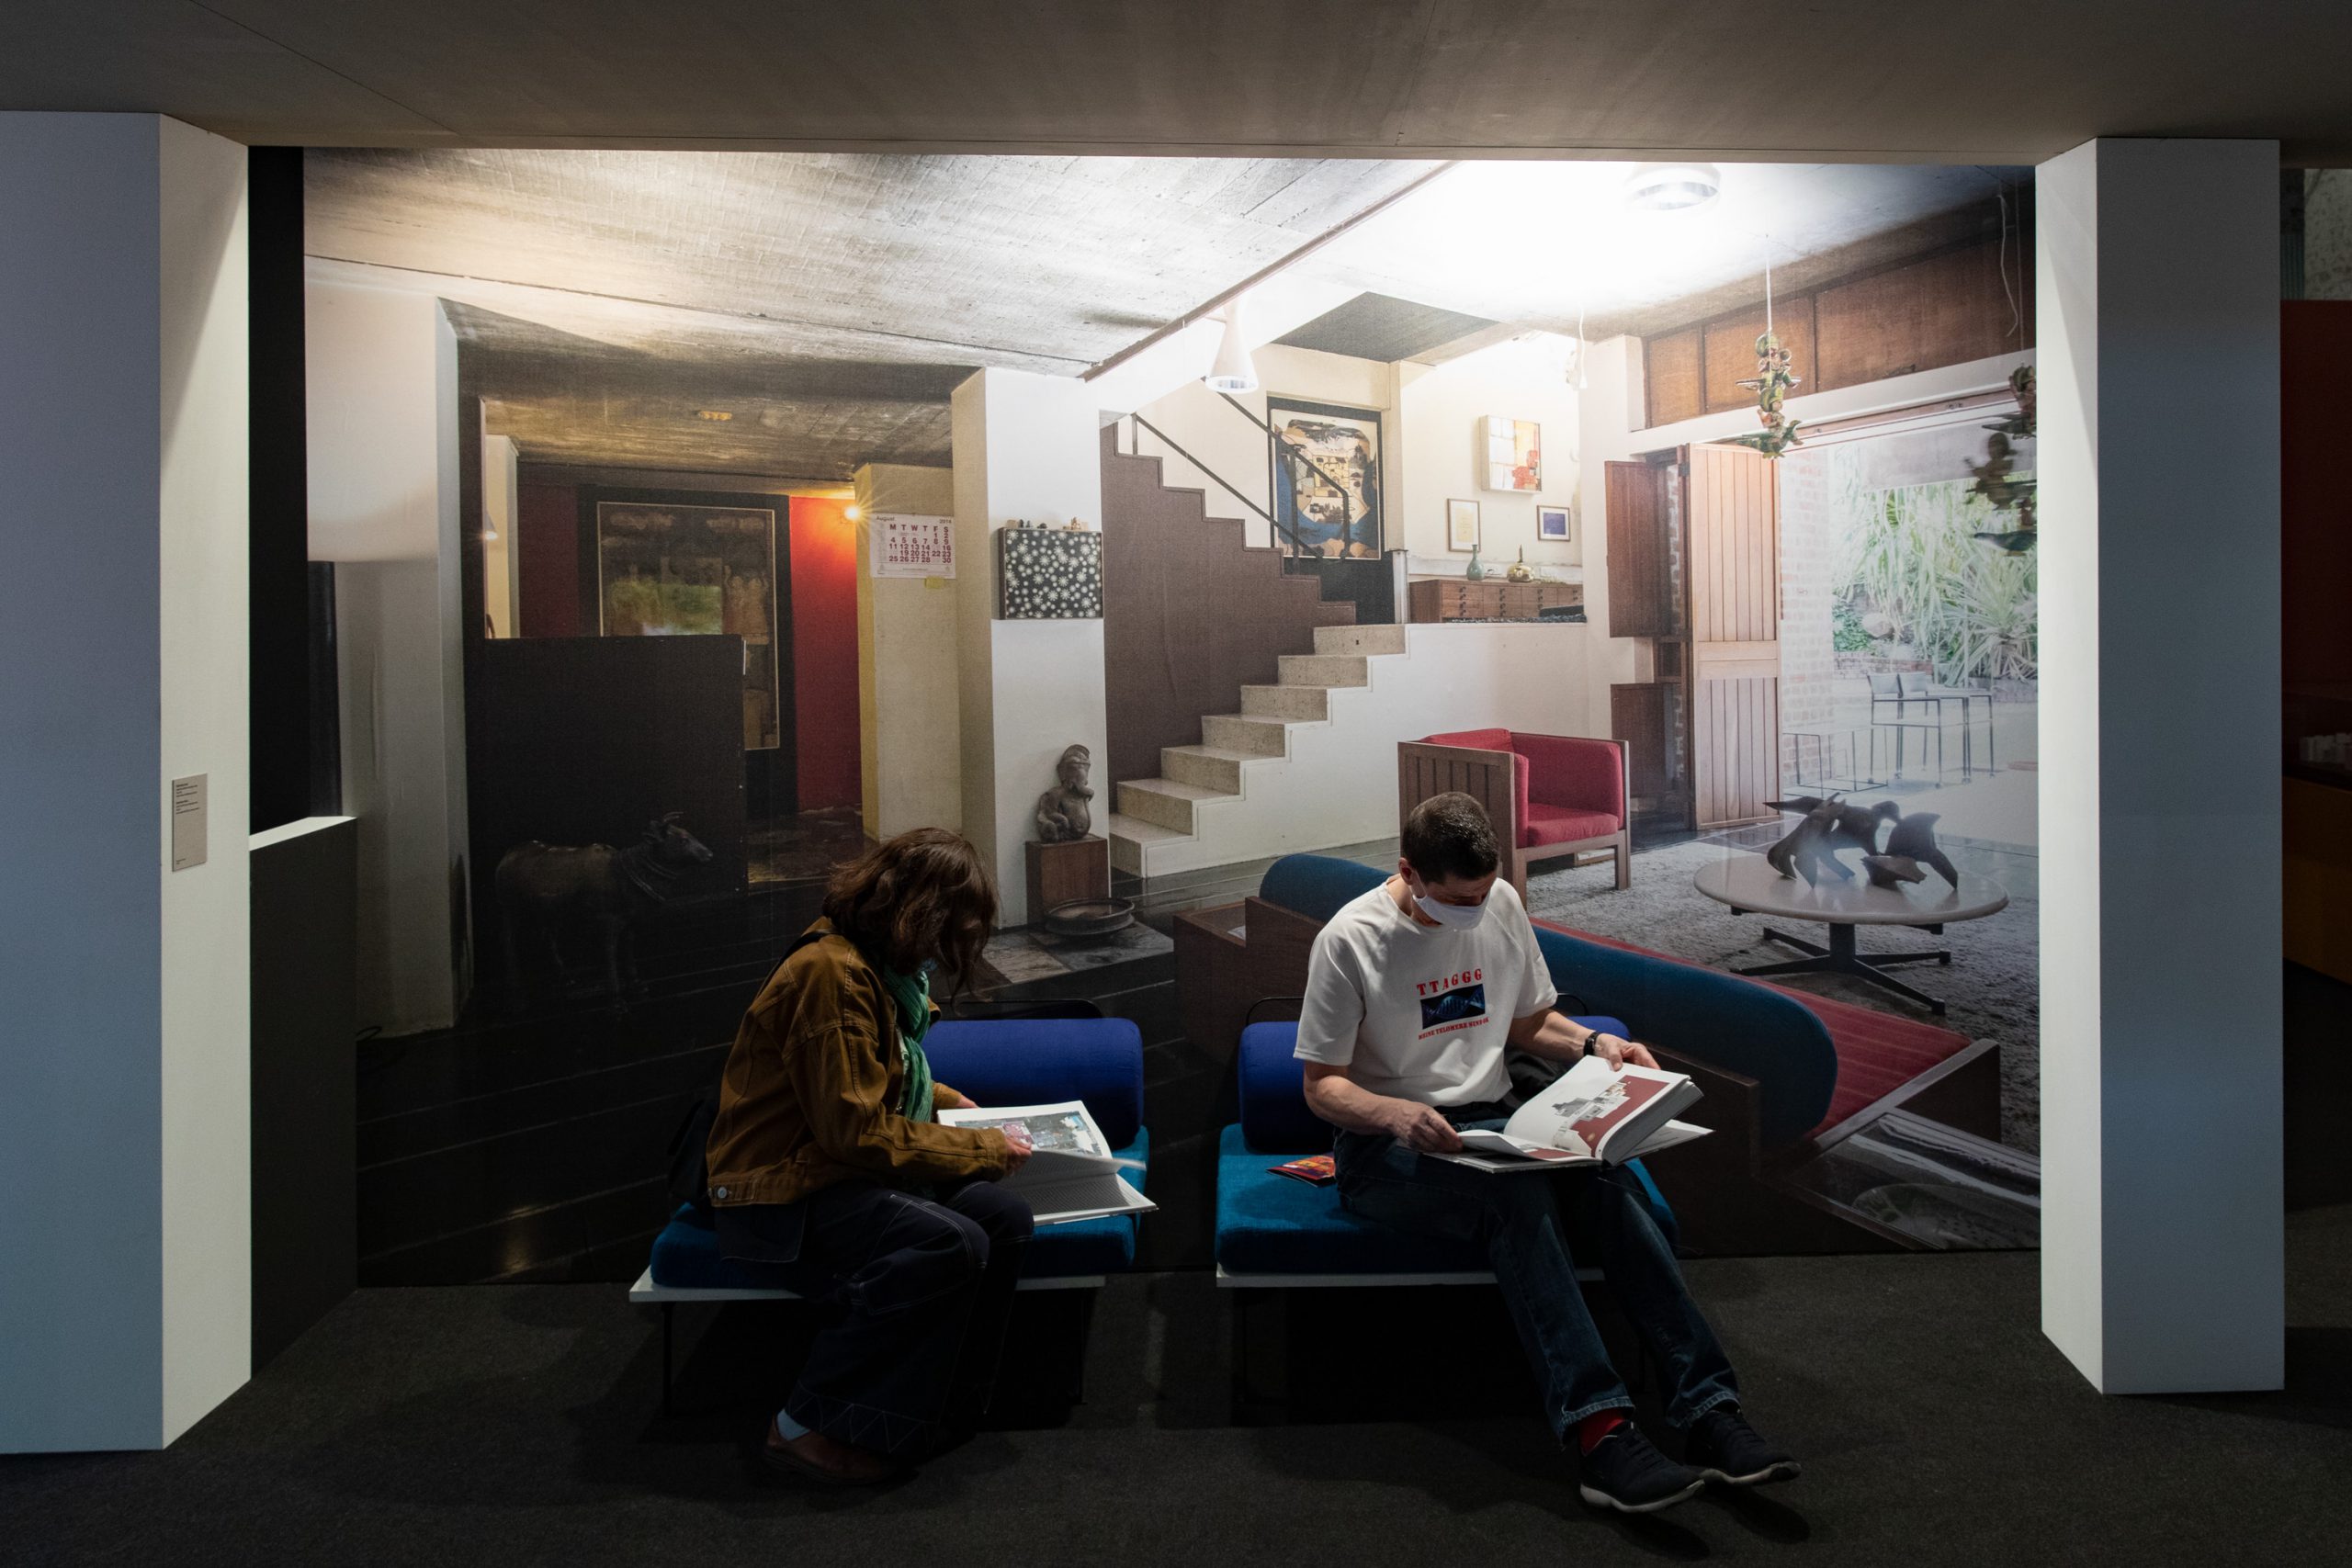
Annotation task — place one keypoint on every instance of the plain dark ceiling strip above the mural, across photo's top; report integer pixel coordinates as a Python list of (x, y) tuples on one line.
[(1967, 81)]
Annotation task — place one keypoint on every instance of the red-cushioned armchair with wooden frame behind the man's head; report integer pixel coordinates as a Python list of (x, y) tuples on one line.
[(1549, 796)]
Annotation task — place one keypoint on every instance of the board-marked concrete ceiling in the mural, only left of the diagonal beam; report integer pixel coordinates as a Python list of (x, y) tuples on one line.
[(829, 304)]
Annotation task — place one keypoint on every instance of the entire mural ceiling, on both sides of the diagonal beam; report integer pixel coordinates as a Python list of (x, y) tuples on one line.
[(827, 304)]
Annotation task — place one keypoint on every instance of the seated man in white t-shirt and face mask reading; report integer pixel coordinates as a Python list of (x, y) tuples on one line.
[(1417, 991)]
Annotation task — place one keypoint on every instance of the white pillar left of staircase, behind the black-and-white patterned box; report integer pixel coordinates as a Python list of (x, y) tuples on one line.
[(1024, 448)]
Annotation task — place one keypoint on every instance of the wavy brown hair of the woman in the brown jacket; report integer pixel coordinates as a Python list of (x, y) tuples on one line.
[(918, 897)]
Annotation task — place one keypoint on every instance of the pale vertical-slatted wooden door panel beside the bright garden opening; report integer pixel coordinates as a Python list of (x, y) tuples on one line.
[(1735, 572)]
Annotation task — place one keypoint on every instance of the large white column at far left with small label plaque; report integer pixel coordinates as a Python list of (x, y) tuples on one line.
[(126, 1207)]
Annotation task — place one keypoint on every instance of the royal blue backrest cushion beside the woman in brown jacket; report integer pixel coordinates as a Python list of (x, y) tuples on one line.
[(1041, 1061)]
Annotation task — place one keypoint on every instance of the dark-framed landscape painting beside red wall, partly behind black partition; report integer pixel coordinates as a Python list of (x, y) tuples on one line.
[(674, 570)]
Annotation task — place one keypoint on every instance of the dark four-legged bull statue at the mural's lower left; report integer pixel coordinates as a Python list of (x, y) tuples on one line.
[(596, 890)]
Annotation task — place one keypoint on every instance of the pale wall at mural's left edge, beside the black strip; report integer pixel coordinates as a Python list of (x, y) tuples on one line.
[(385, 509)]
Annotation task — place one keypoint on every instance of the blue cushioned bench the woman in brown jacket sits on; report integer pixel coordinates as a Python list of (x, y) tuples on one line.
[(1024, 1061)]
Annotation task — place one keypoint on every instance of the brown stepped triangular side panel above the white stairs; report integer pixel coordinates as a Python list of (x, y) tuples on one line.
[(1191, 615)]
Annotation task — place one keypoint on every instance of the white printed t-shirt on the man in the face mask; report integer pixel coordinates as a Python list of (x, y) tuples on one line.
[(1422, 1012)]
